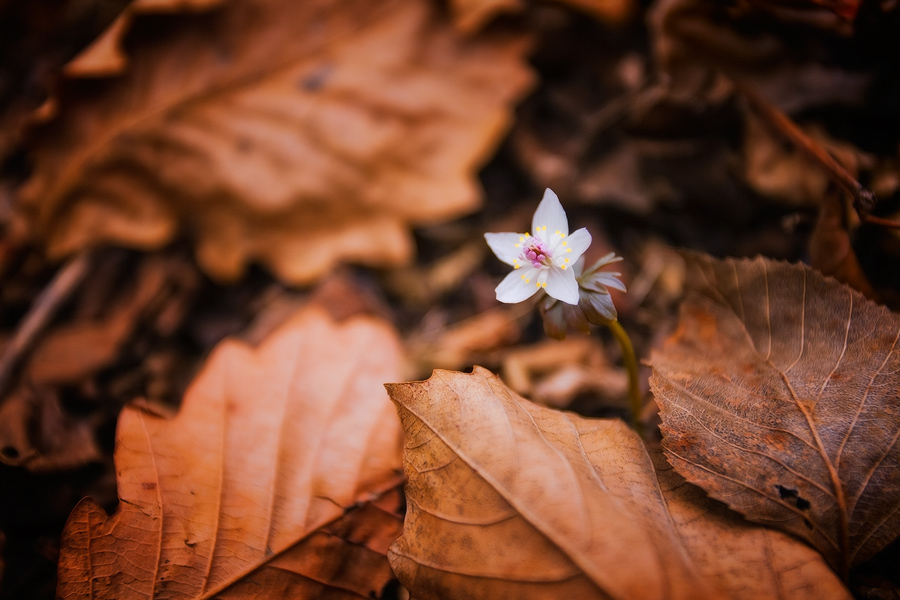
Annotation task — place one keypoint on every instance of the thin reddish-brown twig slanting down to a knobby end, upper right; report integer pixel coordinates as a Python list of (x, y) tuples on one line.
[(864, 200)]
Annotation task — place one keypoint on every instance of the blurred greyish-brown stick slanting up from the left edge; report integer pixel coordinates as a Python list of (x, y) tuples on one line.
[(66, 281)]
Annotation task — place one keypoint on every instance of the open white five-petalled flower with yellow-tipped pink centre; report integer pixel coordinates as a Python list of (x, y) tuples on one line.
[(543, 259)]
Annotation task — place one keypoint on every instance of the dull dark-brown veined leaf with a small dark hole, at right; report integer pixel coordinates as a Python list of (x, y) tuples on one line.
[(779, 396)]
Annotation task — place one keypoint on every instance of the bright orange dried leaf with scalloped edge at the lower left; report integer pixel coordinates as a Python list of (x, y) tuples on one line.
[(271, 444)]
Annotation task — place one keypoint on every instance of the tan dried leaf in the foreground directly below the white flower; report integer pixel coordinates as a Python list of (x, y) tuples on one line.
[(506, 499)]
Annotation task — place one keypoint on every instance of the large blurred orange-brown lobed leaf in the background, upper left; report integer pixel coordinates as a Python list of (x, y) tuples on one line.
[(296, 135)]
